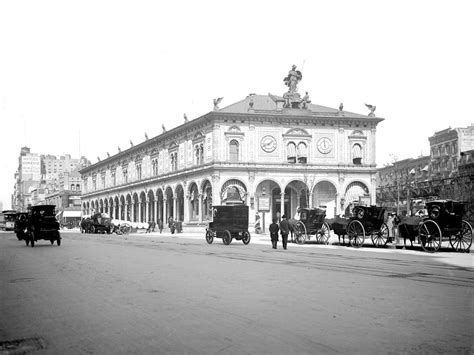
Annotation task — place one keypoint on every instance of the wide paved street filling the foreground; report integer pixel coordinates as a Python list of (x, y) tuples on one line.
[(108, 294)]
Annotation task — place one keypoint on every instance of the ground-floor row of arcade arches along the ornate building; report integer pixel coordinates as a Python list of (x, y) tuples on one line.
[(193, 203)]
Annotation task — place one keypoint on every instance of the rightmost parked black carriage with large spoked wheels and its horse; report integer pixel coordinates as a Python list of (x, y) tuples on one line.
[(444, 222)]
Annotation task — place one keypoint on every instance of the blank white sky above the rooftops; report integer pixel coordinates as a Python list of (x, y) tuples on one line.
[(83, 77)]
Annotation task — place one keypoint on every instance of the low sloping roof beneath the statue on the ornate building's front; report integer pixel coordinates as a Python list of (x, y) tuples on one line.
[(265, 104)]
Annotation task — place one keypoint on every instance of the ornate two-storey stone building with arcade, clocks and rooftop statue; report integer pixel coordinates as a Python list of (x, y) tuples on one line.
[(272, 153)]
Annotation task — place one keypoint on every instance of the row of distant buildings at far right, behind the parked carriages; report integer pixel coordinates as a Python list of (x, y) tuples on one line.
[(446, 173)]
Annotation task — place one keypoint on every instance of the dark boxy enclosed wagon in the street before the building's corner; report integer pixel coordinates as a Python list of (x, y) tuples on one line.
[(229, 222)]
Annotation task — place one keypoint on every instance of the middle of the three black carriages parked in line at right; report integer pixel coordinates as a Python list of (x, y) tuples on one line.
[(367, 220)]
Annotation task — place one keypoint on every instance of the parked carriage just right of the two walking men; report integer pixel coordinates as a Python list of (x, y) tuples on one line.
[(311, 223)]
